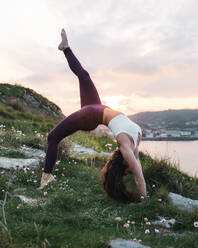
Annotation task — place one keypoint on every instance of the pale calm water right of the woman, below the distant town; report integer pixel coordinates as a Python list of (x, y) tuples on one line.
[(182, 153)]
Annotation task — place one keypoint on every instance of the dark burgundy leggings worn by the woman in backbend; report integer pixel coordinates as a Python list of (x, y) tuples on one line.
[(87, 118)]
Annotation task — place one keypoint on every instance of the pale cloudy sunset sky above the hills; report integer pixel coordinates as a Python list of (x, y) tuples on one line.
[(141, 54)]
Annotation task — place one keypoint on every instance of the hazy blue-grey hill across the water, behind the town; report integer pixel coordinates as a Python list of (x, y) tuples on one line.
[(169, 118)]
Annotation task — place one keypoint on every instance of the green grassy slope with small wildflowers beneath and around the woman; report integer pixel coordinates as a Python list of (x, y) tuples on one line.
[(77, 213)]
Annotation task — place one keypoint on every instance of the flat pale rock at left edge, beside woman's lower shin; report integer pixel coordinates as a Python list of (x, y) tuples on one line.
[(15, 163)]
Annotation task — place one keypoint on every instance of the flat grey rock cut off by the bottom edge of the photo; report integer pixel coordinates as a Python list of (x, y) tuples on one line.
[(121, 243)]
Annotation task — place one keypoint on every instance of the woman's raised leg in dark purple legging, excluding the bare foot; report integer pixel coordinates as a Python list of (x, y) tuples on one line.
[(88, 92)]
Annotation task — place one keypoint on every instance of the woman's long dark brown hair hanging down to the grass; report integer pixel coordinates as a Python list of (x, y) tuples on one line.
[(112, 179)]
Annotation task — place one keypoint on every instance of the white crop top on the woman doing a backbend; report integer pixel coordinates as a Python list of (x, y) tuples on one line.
[(122, 124)]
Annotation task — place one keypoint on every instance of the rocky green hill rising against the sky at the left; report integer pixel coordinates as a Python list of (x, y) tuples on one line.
[(27, 100)]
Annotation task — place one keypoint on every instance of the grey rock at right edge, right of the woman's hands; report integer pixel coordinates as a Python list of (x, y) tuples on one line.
[(183, 203)]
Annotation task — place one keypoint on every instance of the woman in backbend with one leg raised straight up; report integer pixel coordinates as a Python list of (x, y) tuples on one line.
[(92, 113)]
